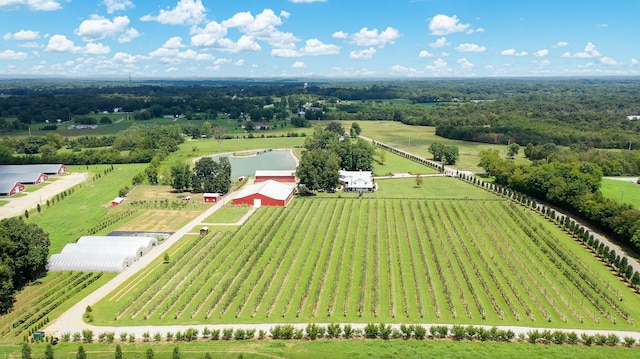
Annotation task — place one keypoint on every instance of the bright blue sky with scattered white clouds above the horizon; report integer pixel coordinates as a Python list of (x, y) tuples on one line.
[(319, 38)]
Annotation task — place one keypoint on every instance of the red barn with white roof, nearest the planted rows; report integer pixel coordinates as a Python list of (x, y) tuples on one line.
[(268, 193)]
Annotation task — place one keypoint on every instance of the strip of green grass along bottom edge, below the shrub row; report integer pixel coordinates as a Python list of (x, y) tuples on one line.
[(357, 348)]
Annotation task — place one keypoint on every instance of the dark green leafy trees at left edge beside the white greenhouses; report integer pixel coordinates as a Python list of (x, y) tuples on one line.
[(24, 249)]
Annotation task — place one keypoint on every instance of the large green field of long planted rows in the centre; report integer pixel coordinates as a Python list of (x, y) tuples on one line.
[(378, 260)]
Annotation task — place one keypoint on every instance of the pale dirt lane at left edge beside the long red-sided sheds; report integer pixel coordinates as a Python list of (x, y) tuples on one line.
[(17, 205)]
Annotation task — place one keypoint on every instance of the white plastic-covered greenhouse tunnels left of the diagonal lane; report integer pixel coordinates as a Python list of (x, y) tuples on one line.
[(101, 253)]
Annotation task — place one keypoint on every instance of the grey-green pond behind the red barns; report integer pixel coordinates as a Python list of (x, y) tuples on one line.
[(262, 160)]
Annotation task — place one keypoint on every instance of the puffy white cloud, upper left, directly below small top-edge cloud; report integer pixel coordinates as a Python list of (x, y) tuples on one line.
[(98, 28)]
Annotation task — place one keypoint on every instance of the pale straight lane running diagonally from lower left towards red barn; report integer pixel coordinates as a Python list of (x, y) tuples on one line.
[(71, 321)]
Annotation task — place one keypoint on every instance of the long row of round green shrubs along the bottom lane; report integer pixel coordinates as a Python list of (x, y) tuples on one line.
[(369, 331)]
